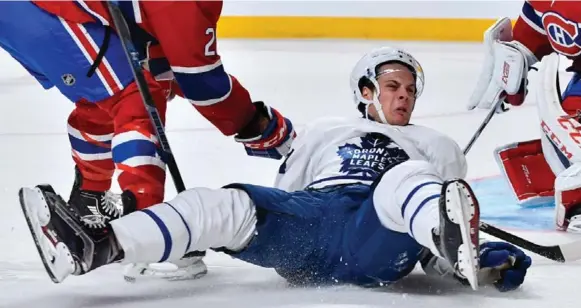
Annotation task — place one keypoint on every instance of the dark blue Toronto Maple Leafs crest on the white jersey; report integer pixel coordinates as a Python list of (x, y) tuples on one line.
[(376, 154)]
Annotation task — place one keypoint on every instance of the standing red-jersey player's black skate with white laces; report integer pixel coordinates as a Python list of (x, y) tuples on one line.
[(96, 208)]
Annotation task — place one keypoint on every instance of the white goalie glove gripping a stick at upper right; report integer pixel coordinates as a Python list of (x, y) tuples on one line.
[(505, 69)]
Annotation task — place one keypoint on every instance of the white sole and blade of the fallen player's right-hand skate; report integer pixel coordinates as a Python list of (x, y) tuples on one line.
[(460, 201)]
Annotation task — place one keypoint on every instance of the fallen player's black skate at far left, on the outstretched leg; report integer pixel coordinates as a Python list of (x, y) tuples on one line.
[(66, 246)]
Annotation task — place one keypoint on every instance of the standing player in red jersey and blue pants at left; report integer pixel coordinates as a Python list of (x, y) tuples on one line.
[(109, 128)]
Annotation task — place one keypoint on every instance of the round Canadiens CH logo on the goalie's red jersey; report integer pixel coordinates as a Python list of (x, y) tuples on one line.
[(563, 34)]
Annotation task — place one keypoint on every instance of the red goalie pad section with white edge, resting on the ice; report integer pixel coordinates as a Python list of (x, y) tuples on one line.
[(527, 172)]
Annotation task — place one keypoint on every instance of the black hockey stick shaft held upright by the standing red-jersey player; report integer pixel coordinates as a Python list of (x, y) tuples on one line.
[(133, 57)]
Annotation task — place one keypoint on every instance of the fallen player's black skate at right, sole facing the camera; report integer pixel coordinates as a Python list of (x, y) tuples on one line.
[(457, 237)]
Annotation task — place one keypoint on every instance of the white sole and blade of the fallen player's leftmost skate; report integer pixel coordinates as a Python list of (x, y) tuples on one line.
[(56, 256)]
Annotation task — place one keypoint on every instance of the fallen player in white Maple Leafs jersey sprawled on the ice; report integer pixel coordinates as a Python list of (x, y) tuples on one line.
[(358, 200)]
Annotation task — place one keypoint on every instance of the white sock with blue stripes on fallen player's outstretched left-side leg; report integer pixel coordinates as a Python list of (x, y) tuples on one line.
[(195, 220)]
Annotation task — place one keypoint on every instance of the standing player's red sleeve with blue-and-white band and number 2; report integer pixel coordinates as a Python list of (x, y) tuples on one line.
[(186, 31)]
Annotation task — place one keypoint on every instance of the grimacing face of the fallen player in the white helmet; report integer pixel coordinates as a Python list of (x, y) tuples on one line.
[(396, 95)]
